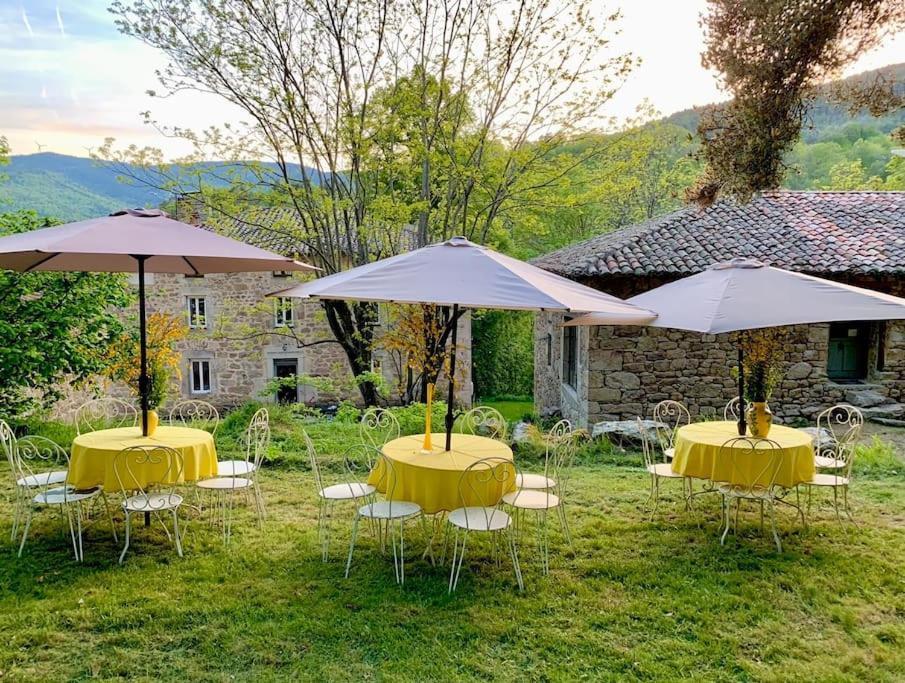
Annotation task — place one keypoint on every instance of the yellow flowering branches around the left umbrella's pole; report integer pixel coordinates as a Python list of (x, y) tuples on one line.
[(164, 332)]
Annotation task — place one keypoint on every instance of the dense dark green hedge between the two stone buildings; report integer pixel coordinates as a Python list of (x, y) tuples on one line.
[(502, 353)]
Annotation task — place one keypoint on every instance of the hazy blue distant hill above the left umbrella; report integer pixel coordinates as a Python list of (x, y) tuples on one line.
[(72, 188)]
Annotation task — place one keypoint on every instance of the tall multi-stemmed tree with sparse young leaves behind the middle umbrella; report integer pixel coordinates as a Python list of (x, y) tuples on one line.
[(378, 114)]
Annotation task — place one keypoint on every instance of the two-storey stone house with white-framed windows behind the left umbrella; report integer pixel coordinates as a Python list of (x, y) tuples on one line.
[(239, 339)]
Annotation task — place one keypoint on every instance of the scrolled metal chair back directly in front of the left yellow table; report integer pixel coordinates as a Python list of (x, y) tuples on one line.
[(138, 468)]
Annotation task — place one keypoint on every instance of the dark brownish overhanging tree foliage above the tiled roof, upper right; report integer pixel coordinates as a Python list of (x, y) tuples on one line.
[(771, 55)]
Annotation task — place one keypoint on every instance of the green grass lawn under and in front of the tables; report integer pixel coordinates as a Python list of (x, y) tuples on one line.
[(635, 600)]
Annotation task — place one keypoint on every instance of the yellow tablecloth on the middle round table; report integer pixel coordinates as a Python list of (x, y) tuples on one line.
[(432, 479)]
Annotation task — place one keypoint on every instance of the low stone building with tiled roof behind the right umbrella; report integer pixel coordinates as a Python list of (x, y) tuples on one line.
[(591, 374)]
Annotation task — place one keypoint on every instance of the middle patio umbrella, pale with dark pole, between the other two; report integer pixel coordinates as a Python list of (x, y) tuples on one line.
[(461, 274)]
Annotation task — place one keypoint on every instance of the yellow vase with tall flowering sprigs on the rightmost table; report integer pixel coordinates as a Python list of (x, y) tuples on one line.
[(762, 366)]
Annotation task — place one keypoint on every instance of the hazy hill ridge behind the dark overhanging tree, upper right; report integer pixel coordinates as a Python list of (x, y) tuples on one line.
[(826, 118)]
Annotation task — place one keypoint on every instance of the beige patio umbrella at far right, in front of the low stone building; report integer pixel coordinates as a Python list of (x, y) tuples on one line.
[(742, 294)]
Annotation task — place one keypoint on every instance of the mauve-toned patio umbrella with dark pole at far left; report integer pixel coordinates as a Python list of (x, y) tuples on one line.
[(136, 241)]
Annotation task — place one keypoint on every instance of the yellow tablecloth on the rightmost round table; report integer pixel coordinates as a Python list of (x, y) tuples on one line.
[(698, 454)]
